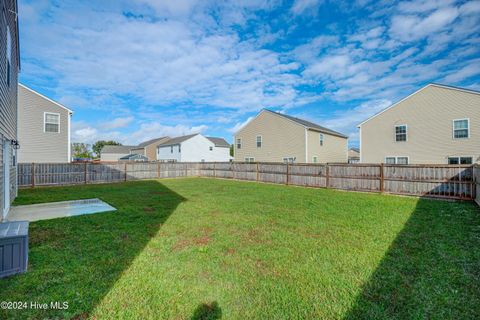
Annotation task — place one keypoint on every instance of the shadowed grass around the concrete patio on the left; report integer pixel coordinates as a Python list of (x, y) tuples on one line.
[(79, 259)]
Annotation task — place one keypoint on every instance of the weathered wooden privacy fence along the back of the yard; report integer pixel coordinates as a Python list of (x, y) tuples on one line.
[(444, 181)]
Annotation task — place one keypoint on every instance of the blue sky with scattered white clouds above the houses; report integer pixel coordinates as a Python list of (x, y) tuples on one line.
[(140, 69)]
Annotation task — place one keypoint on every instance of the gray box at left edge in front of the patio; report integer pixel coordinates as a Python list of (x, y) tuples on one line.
[(13, 248)]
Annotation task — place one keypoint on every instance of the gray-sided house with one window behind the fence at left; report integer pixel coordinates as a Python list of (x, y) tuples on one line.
[(43, 128)]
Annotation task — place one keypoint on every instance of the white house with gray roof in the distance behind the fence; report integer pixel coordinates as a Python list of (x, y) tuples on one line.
[(194, 148)]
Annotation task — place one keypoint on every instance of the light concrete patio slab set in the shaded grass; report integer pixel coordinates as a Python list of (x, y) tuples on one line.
[(51, 210)]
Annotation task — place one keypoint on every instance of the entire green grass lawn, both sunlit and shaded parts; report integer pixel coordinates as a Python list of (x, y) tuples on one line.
[(208, 249)]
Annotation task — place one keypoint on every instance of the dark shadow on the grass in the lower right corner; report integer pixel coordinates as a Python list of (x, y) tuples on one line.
[(431, 270)]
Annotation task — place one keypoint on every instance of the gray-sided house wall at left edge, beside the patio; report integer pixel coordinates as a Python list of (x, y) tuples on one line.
[(9, 68)]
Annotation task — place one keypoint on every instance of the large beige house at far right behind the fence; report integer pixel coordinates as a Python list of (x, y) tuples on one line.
[(437, 124)]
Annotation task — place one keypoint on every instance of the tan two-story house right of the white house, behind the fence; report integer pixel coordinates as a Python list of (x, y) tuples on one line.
[(276, 137)]
